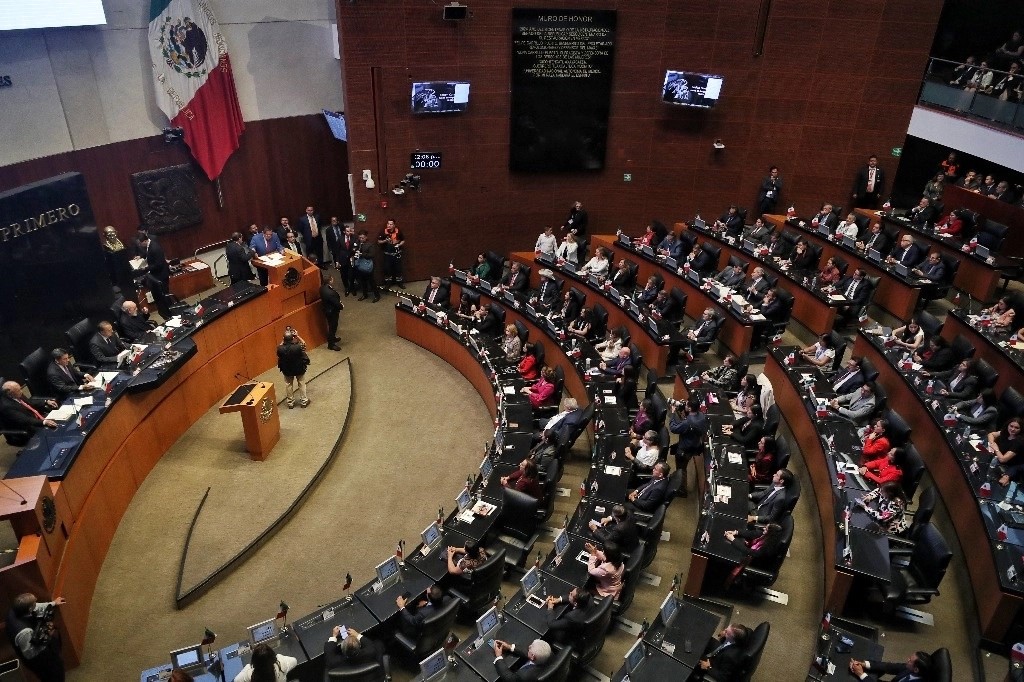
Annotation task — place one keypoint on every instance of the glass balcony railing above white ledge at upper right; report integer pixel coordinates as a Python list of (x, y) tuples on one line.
[(942, 89)]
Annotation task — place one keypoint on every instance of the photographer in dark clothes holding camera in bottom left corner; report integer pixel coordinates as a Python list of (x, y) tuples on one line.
[(31, 630)]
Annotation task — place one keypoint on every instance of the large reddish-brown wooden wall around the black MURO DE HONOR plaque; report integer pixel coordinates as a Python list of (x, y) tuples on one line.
[(838, 81)]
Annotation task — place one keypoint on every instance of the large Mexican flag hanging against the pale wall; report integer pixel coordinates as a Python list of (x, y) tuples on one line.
[(193, 75)]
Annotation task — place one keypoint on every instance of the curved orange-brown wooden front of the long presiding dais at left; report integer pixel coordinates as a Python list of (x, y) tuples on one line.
[(126, 440)]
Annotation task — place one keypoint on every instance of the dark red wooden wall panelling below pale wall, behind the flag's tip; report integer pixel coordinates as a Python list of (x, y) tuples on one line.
[(282, 166)]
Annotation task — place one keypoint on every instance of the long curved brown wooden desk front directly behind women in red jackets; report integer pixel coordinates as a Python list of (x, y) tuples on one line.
[(999, 601)]
